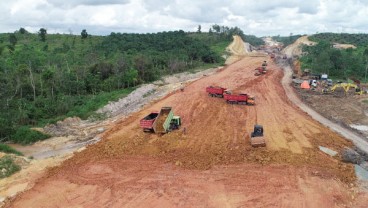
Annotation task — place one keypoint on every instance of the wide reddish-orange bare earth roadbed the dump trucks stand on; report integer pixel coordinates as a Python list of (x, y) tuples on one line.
[(211, 163)]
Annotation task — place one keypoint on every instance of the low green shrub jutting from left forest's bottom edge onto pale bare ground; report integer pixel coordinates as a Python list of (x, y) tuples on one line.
[(25, 135)]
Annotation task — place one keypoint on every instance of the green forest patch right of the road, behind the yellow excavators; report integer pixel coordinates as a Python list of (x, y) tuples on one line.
[(337, 63)]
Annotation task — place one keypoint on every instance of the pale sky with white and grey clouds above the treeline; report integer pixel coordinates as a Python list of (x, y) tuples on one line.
[(254, 17)]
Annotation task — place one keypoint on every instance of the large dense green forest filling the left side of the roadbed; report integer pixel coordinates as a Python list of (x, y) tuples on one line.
[(47, 77)]
